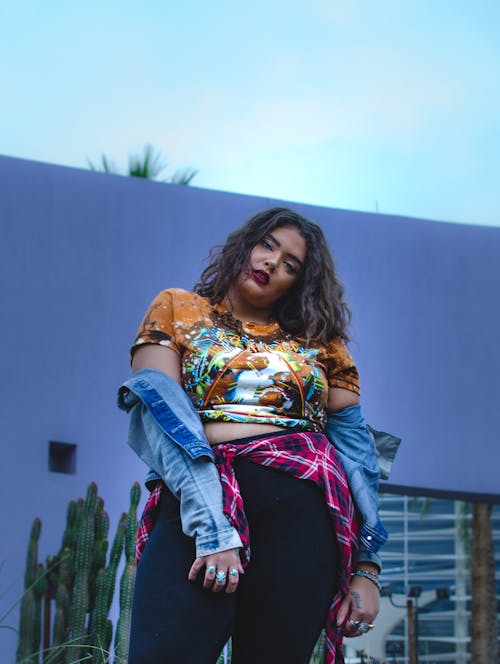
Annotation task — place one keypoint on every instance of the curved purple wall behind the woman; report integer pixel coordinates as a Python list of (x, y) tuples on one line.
[(83, 253)]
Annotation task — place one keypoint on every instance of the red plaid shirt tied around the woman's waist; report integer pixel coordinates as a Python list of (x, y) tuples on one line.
[(307, 456)]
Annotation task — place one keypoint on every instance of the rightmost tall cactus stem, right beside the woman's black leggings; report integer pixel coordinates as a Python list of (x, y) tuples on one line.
[(128, 579)]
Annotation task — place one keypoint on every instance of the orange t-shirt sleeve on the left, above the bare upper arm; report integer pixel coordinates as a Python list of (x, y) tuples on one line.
[(158, 325)]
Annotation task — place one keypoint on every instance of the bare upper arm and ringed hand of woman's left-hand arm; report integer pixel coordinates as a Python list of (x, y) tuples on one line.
[(161, 358)]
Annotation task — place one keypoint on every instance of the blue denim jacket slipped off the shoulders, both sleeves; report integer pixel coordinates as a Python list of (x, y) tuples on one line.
[(166, 432)]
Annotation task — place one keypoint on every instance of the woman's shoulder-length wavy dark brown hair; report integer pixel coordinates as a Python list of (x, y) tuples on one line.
[(314, 307)]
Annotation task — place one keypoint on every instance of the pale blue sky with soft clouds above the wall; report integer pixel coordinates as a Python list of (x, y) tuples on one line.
[(388, 106)]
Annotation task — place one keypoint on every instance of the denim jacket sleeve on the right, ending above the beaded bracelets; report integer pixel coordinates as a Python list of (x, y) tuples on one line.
[(363, 464)]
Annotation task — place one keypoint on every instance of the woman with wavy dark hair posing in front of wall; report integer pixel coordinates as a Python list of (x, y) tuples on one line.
[(265, 549)]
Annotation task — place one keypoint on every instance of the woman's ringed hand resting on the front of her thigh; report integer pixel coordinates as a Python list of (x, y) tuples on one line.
[(222, 570)]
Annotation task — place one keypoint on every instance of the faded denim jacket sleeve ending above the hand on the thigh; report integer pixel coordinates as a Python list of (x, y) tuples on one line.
[(166, 432)]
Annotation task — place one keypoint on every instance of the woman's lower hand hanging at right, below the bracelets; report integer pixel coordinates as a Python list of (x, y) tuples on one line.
[(361, 605)]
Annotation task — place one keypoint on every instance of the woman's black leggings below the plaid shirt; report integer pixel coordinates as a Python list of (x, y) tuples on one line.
[(282, 601)]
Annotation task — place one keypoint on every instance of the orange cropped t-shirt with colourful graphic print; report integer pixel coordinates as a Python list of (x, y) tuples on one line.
[(246, 372)]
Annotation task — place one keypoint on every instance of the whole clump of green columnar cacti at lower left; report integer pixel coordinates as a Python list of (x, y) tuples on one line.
[(81, 585)]
